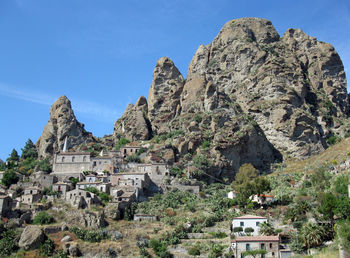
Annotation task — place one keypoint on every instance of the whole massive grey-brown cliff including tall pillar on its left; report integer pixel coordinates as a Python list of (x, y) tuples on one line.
[(255, 96)]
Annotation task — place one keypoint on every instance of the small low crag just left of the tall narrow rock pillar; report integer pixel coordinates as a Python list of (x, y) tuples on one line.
[(134, 124)]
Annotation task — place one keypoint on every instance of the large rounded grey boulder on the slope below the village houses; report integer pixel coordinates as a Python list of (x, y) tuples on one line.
[(31, 238)]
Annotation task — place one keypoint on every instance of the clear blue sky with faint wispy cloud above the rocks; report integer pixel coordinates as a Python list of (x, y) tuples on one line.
[(101, 54)]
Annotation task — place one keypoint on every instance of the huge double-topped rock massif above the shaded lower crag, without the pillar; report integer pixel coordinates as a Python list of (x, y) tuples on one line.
[(290, 86)]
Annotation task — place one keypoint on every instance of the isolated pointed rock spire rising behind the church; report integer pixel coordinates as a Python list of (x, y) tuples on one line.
[(62, 124)]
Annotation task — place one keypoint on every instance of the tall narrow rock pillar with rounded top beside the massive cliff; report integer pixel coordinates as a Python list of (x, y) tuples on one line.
[(164, 94)]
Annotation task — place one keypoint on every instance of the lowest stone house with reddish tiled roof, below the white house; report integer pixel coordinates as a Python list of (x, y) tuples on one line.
[(244, 243)]
